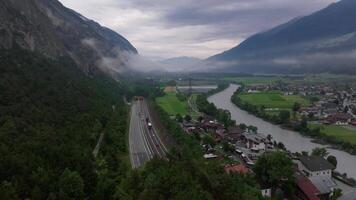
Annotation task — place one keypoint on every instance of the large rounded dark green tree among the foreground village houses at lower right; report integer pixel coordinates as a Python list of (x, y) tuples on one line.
[(274, 169)]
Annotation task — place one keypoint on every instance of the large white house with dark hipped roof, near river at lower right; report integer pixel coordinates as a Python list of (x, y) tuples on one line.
[(315, 166)]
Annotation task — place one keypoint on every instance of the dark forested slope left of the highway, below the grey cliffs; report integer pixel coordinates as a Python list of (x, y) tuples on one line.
[(51, 115)]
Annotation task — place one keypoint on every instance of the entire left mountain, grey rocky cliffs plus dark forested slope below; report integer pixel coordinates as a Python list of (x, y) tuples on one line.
[(55, 102)]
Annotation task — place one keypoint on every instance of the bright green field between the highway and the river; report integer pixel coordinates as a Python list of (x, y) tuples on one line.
[(171, 104)]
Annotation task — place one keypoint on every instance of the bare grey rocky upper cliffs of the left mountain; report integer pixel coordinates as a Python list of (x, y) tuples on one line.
[(46, 26)]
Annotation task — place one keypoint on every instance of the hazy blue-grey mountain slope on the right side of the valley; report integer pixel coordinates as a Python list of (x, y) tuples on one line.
[(324, 41)]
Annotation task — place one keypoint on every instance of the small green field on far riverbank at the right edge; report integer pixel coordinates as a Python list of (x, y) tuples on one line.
[(341, 132)]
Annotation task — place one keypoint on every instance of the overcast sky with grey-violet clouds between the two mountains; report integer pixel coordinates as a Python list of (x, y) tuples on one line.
[(200, 28)]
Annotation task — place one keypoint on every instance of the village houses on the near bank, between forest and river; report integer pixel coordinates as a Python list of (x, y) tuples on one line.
[(240, 146)]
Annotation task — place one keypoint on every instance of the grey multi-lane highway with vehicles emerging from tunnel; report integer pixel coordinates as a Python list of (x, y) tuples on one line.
[(144, 141)]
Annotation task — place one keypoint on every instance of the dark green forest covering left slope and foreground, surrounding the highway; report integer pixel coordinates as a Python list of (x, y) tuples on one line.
[(51, 116)]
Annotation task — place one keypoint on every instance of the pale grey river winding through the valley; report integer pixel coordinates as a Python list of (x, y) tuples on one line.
[(293, 141)]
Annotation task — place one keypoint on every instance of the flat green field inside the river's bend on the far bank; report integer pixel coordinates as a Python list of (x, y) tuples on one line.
[(273, 100)]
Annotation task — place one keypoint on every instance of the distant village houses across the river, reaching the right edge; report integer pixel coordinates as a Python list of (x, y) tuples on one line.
[(328, 105)]
